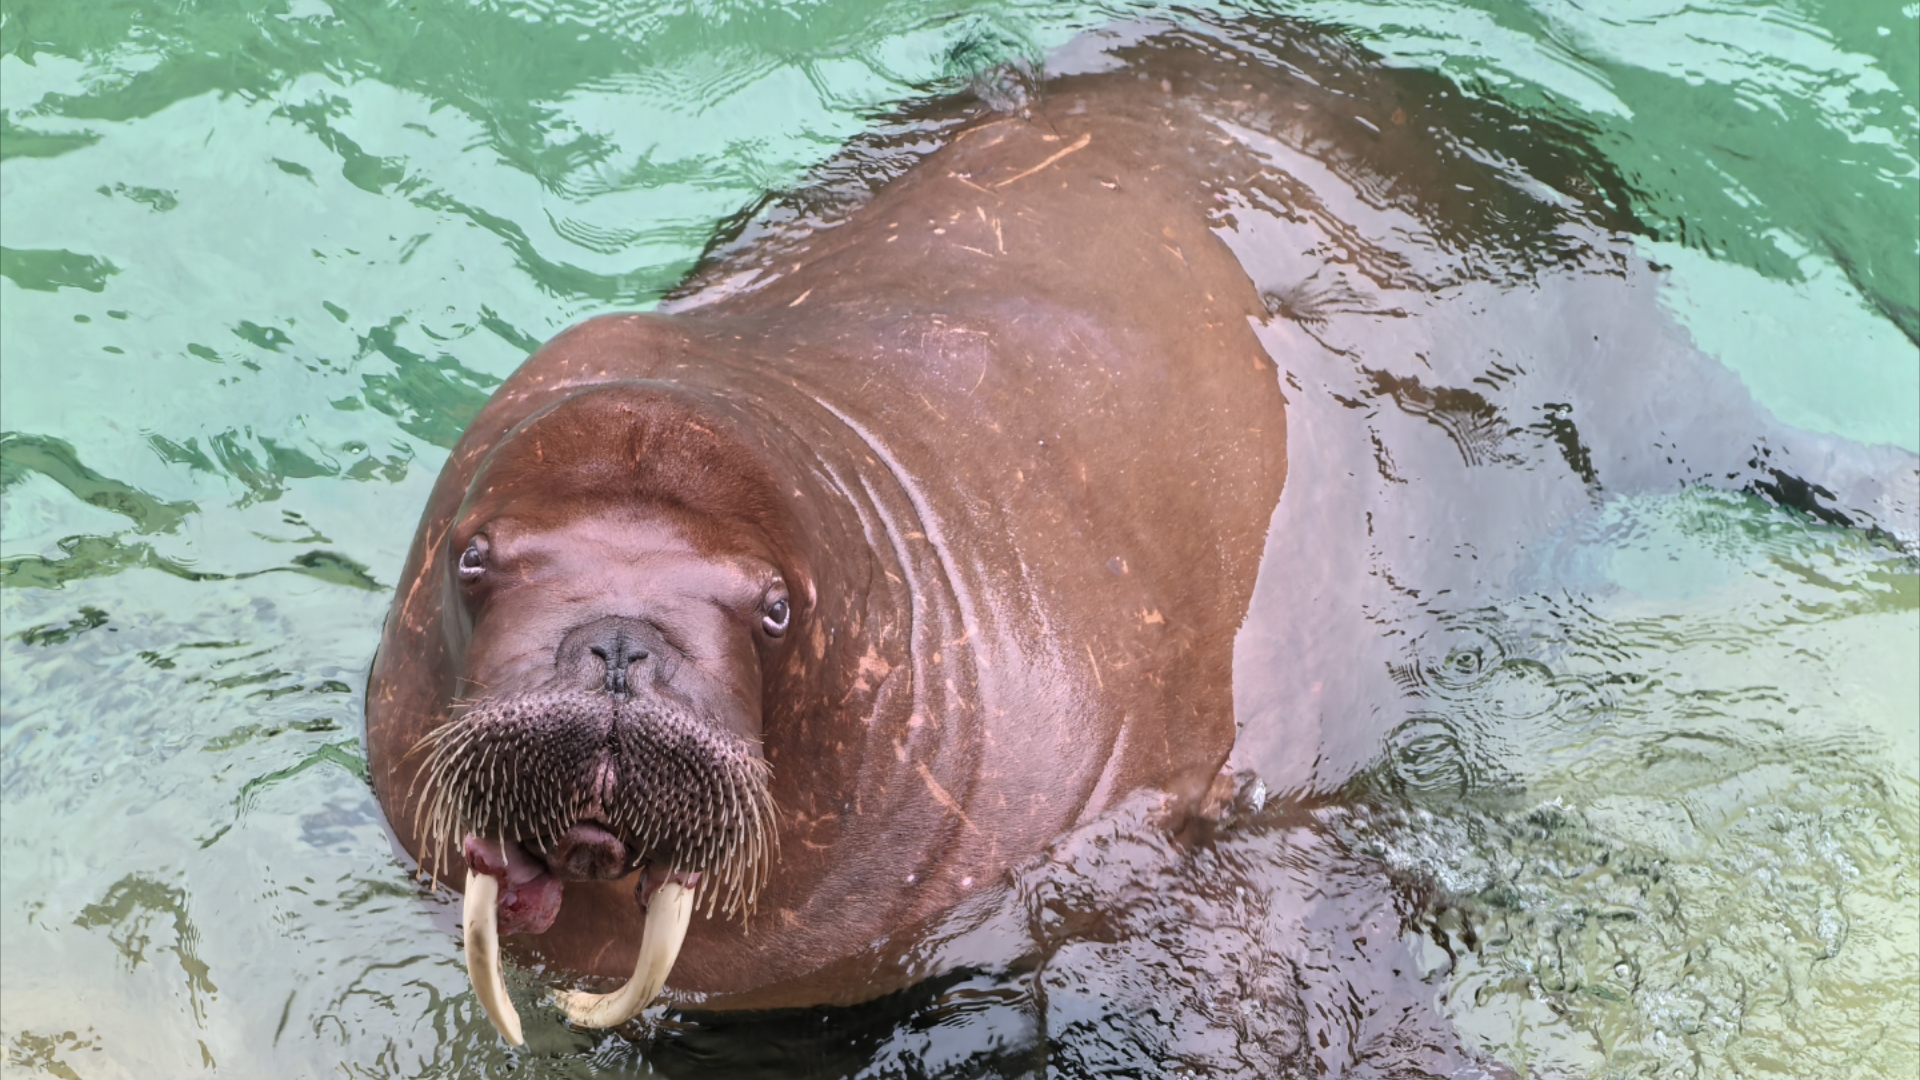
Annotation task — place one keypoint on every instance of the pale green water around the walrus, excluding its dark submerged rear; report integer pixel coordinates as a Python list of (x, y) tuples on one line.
[(264, 262)]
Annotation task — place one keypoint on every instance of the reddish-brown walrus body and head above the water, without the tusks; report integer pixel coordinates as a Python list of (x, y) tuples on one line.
[(1007, 447)]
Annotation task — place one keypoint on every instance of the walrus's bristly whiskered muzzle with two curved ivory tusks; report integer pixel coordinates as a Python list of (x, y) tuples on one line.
[(542, 787)]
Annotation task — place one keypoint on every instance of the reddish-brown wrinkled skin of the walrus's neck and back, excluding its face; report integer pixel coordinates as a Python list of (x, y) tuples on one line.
[(1026, 449)]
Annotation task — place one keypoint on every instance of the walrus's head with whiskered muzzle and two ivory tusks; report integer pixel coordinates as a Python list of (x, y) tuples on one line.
[(623, 564)]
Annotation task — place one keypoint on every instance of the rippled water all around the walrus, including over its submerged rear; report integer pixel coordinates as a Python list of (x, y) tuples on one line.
[(1581, 683)]
